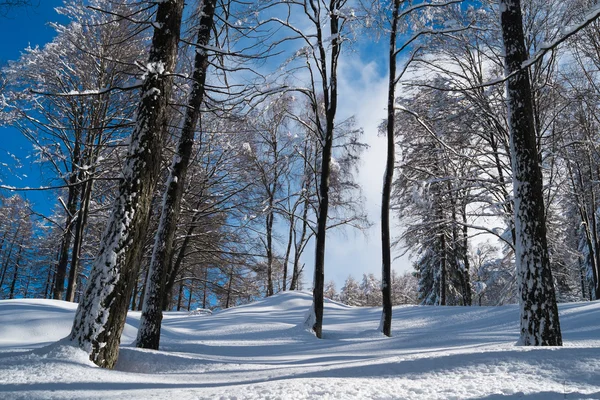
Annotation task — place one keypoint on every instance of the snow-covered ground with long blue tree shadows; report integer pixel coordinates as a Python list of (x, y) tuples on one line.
[(260, 351)]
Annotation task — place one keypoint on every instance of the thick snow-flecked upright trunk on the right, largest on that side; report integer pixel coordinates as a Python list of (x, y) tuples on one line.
[(539, 313)]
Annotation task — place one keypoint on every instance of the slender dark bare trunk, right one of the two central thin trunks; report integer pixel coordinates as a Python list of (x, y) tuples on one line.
[(388, 177)]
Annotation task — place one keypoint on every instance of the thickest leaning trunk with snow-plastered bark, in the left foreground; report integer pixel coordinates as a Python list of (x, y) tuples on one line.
[(101, 314)]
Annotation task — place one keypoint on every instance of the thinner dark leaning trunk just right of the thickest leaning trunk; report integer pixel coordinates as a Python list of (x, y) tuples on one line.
[(150, 323)]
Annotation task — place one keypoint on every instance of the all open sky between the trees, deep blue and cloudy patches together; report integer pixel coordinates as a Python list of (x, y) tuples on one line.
[(363, 93)]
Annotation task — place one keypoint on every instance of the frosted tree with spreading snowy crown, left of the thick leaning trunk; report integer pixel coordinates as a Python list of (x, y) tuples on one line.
[(69, 117)]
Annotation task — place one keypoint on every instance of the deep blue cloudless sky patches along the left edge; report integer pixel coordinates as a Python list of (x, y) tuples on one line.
[(24, 27)]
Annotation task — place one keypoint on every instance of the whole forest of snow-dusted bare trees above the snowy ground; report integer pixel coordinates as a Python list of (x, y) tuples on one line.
[(199, 158)]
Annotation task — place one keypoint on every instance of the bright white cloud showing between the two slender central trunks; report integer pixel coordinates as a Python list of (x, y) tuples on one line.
[(362, 93)]
